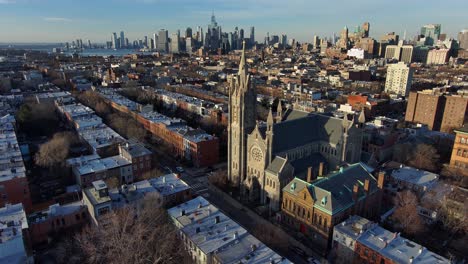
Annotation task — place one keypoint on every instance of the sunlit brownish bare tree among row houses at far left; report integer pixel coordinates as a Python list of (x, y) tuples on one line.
[(55, 151)]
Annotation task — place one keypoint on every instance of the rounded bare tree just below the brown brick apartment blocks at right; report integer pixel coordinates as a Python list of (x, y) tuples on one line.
[(424, 157)]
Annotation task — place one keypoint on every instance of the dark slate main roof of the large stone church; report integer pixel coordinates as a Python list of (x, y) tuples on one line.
[(293, 133)]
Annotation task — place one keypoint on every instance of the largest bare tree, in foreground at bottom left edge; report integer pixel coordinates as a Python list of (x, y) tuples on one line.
[(129, 235)]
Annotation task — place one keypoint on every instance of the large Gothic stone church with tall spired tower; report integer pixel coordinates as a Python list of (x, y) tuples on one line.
[(263, 158)]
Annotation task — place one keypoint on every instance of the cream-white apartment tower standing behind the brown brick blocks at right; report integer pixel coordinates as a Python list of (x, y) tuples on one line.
[(399, 79)]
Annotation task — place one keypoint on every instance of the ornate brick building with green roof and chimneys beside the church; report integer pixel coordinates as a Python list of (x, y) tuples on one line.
[(314, 207)]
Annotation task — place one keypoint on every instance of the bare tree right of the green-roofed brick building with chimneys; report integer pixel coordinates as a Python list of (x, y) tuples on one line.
[(406, 213)]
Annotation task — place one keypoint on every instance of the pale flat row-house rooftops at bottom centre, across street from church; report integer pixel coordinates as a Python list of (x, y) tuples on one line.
[(212, 231)]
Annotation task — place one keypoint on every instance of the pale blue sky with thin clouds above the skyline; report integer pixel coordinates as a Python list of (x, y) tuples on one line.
[(66, 20)]
